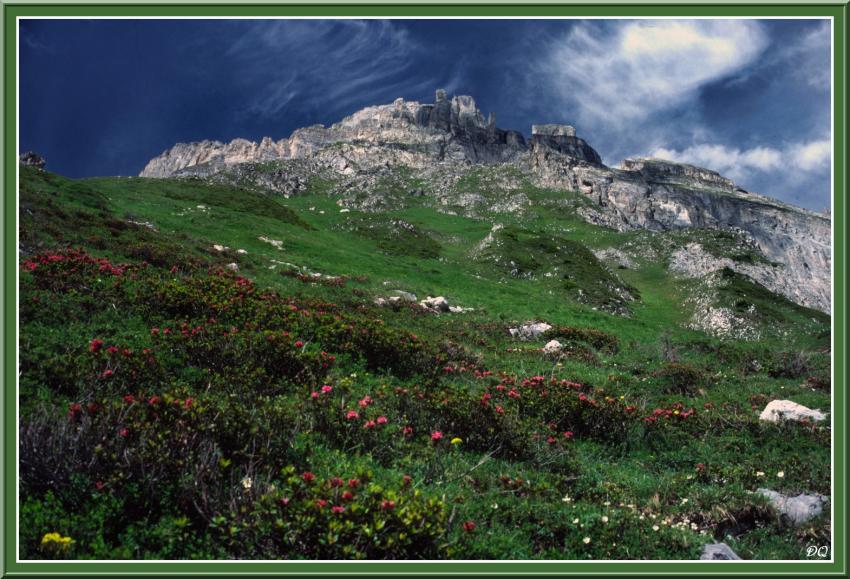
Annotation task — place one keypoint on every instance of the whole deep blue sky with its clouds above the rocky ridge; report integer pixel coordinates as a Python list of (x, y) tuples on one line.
[(747, 98)]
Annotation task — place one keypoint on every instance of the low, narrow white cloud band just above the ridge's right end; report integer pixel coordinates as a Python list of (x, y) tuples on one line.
[(741, 165)]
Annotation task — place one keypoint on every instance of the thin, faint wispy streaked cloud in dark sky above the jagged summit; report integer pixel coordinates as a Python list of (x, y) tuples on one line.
[(329, 64)]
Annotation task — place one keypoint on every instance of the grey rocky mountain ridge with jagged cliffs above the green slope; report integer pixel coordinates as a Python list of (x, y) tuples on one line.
[(450, 137)]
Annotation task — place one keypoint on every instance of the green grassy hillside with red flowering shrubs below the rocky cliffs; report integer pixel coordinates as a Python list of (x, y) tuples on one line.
[(172, 407)]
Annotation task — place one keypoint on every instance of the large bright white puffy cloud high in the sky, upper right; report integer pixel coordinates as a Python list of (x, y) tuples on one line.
[(623, 72)]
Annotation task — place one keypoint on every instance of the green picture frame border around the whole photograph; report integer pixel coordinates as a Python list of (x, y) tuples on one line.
[(12, 568)]
